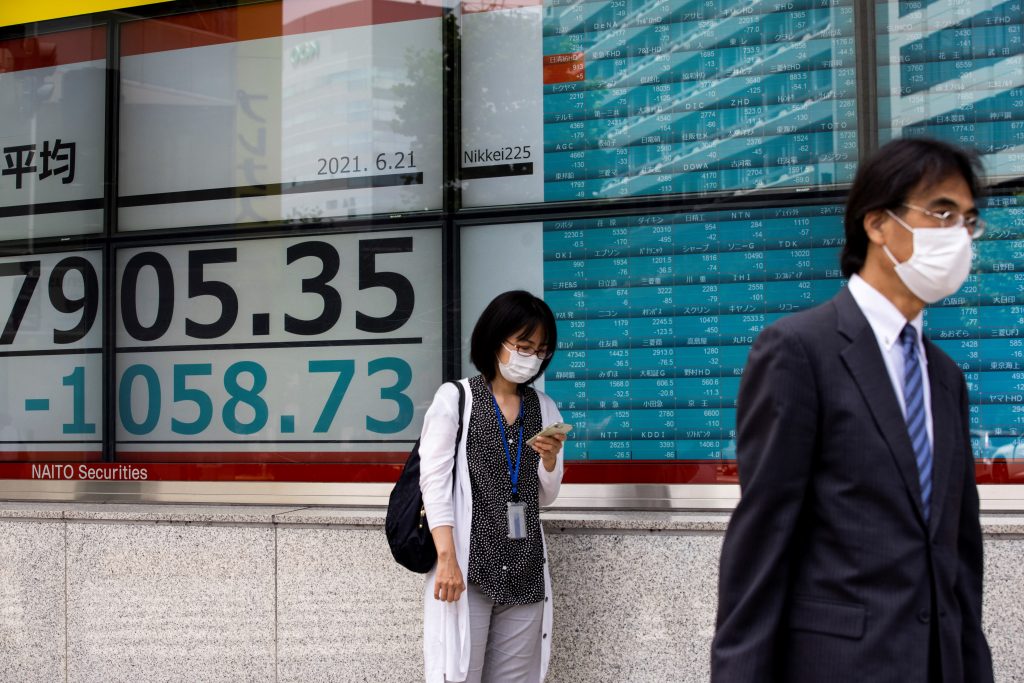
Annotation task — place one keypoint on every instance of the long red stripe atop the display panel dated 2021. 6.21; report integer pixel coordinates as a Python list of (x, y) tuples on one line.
[(218, 27)]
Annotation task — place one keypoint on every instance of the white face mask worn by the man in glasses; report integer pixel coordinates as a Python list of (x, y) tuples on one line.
[(941, 264)]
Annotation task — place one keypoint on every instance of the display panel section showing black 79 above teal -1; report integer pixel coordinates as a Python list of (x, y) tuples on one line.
[(52, 358)]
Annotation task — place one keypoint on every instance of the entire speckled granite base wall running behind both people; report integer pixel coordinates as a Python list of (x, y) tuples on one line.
[(178, 593)]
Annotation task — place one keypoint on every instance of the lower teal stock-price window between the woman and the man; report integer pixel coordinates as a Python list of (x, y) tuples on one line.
[(656, 317)]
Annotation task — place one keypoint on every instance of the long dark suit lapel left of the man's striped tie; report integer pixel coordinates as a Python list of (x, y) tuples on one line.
[(864, 359)]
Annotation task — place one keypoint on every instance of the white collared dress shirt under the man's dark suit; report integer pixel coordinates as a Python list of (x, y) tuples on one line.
[(887, 323)]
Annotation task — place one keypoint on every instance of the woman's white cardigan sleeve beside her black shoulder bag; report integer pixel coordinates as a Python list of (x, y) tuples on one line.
[(438, 453)]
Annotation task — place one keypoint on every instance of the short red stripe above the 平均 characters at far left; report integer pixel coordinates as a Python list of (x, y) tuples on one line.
[(53, 50)]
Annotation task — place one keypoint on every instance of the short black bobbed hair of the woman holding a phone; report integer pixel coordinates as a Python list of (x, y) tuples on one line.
[(505, 316)]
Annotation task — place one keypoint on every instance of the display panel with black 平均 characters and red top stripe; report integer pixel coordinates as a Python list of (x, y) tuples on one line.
[(53, 90)]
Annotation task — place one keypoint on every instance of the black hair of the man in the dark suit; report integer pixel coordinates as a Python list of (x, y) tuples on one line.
[(885, 181)]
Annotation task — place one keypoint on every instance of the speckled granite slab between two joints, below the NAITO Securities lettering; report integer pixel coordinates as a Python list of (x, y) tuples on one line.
[(161, 603)]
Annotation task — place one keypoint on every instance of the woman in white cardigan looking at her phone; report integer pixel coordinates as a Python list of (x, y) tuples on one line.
[(488, 602)]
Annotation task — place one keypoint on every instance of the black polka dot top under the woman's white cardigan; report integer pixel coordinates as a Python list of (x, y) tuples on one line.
[(510, 572)]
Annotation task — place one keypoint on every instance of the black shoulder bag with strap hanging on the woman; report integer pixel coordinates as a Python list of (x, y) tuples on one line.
[(406, 525)]
